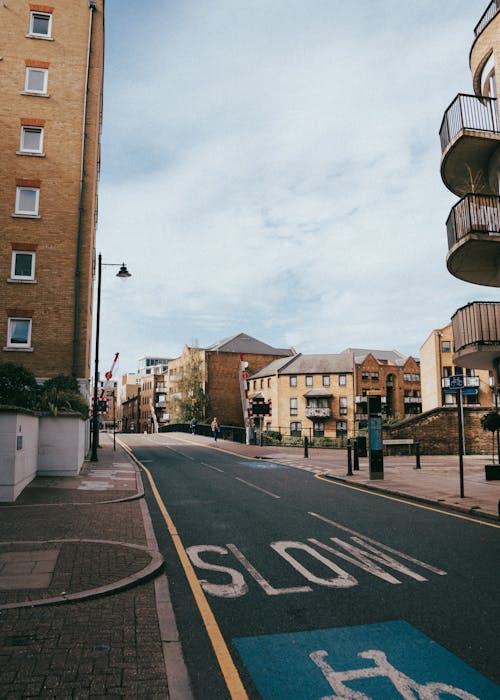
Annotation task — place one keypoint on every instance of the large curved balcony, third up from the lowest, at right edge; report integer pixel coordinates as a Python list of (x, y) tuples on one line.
[(470, 134)]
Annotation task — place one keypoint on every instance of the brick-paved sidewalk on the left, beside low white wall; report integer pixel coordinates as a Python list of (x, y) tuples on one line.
[(84, 607)]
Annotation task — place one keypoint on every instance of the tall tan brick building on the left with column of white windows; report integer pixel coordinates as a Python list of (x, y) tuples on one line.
[(50, 118)]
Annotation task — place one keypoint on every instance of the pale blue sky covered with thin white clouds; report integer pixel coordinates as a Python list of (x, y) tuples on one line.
[(272, 167)]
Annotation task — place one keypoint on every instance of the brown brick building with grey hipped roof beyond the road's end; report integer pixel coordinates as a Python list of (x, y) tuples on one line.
[(205, 382)]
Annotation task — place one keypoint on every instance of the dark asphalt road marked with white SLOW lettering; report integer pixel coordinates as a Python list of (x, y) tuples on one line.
[(310, 589)]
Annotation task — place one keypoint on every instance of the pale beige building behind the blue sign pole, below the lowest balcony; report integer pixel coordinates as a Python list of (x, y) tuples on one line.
[(437, 366)]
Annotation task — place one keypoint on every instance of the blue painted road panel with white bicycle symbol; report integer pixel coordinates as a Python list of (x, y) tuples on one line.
[(387, 661)]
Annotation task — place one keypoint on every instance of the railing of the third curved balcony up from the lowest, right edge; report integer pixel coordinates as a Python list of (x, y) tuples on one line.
[(469, 112)]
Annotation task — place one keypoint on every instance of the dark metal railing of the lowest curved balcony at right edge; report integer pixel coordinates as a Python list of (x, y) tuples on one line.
[(477, 323)]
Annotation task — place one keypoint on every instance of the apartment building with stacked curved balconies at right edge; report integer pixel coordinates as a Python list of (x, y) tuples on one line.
[(470, 168)]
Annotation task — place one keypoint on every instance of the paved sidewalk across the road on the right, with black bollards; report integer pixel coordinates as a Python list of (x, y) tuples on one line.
[(436, 483)]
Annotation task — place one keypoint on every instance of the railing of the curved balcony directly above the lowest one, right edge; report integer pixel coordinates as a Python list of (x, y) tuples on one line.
[(473, 214)]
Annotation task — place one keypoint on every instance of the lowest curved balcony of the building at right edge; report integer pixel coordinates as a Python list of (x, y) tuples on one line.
[(476, 333)]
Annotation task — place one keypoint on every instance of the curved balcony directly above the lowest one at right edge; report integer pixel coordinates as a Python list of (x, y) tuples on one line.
[(473, 228)]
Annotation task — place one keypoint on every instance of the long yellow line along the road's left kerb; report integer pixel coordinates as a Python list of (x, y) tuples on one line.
[(226, 663)]
